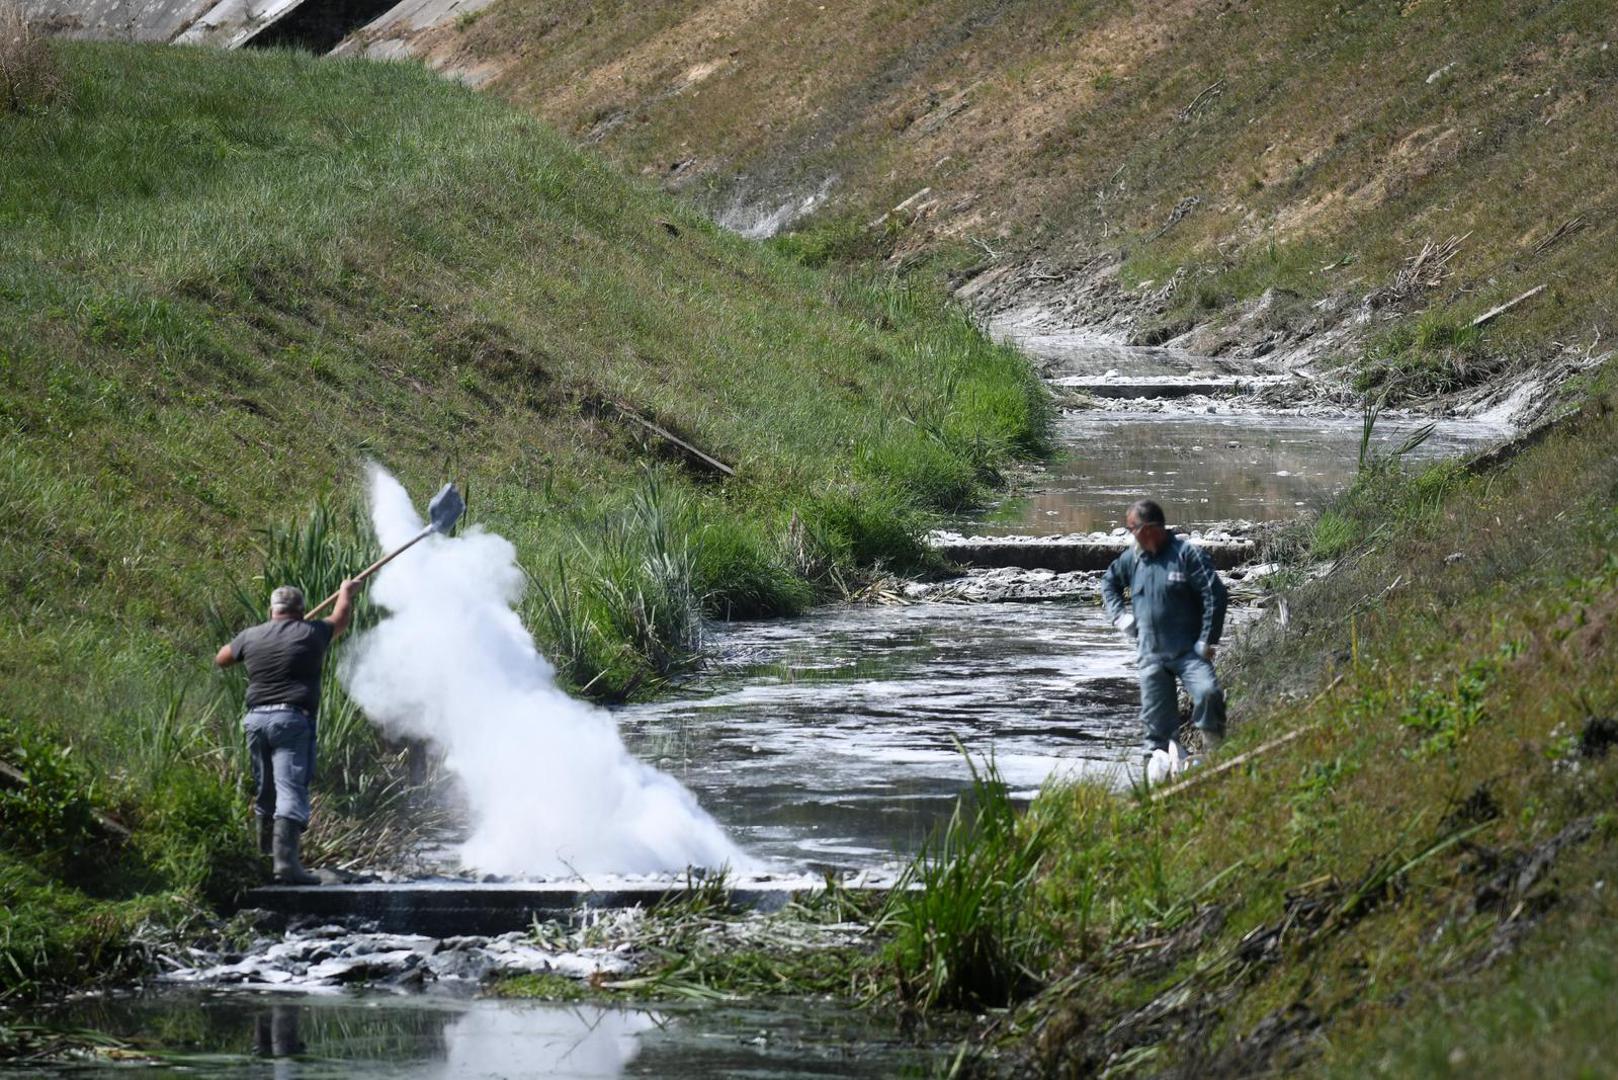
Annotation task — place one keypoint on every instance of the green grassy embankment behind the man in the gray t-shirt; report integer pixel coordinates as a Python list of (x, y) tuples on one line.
[(227, 281)]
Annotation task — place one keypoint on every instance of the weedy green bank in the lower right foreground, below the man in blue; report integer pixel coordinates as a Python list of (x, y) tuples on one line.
[(1417, 883)]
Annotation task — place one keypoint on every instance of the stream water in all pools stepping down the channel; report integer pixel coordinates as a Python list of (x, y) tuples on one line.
[(823, 742)]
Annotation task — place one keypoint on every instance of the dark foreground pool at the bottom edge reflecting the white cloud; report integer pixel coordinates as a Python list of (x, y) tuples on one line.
[(237, 1034)]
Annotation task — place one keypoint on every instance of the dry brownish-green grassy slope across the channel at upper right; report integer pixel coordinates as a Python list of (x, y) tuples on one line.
[(1218, 151)]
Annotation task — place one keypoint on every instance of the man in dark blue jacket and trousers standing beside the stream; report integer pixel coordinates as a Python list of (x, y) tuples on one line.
[(1175, 611)]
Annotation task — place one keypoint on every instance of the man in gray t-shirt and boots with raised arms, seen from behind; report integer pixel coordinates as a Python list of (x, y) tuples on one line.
[(286, 660)]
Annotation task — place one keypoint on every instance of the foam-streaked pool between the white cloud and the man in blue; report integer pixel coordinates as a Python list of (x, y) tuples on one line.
[(831, 741)]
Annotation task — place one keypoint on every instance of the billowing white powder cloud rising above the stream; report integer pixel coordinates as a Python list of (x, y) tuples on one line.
[(551, 786)]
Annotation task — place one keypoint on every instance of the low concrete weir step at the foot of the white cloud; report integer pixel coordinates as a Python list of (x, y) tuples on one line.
[(444, 909)]
